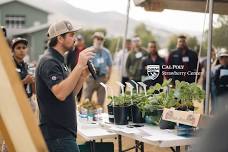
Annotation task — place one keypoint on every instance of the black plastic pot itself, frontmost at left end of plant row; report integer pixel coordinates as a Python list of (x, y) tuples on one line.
[(121, 115)]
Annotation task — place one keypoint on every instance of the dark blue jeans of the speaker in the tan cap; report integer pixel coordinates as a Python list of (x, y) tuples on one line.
[(67, 144)]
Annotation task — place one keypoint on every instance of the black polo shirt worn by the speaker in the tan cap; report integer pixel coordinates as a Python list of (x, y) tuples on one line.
[(57, 118)]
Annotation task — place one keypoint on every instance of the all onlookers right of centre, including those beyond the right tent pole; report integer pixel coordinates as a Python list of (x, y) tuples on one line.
[(146, 65)]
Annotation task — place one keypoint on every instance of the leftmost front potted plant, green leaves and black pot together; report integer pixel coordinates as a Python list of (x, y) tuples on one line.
[(120, 109)]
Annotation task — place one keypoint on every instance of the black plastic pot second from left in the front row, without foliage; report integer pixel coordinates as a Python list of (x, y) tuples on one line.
[(136, 114)]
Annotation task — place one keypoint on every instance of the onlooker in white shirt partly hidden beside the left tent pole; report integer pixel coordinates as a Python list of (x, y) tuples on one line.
[(121, 61)]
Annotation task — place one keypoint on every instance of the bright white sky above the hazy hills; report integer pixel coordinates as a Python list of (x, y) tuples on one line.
[(170, 19)]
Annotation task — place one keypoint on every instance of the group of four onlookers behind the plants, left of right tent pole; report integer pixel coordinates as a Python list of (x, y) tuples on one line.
[(146, 65)]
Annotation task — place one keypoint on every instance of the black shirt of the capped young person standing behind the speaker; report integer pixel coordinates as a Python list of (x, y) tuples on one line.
[(22, 70)]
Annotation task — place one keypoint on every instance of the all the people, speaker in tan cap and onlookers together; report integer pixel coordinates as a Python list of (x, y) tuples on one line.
[(62, 71)]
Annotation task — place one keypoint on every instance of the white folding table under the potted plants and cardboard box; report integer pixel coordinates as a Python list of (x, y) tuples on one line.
[(148, 134)]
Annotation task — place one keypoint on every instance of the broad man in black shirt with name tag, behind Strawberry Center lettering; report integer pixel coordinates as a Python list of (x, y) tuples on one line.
[(182, 62)]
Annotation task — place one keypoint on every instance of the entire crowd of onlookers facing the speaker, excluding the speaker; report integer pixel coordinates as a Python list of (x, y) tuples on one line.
[(134, 62)]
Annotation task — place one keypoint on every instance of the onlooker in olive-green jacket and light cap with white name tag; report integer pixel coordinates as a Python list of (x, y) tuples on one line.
[(134, 60)]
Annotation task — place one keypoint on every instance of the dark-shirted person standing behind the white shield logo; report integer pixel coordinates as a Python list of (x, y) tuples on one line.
[(151, 69)]
